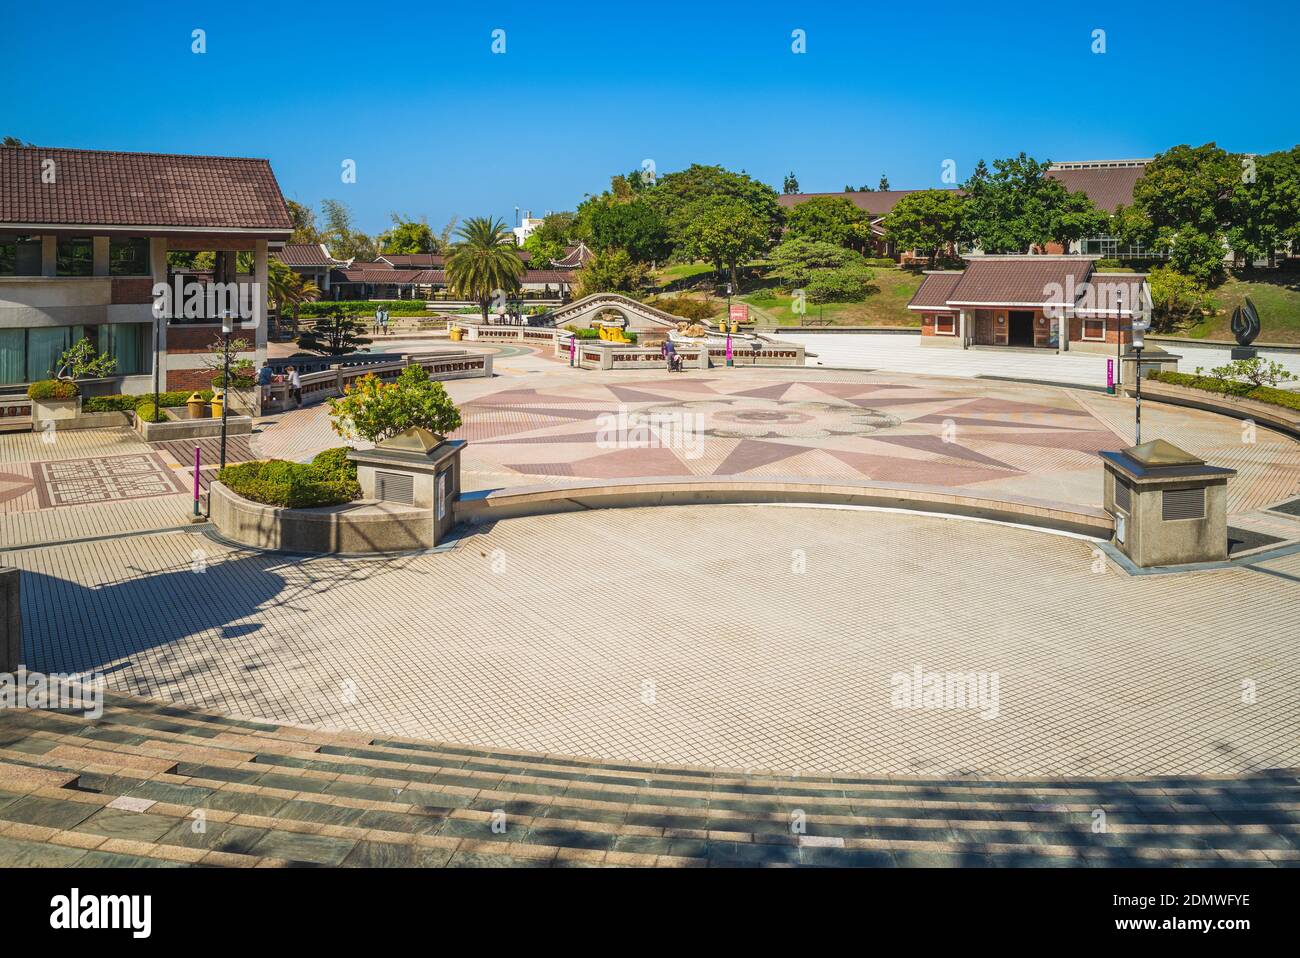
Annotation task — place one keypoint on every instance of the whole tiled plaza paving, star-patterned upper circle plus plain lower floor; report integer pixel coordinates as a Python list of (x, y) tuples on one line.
[(725, 636)]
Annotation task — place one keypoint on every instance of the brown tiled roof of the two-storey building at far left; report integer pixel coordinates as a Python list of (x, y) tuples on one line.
[(106, 189)]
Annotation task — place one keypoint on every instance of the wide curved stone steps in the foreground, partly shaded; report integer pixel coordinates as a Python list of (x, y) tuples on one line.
[(154, 784)]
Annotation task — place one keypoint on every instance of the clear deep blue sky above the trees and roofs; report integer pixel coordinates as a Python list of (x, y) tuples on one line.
[(440, 125)]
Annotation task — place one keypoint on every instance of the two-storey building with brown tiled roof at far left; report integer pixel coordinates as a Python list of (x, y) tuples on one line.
[(90, 239)]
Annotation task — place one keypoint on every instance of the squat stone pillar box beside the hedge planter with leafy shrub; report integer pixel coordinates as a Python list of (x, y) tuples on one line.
[(414, 469)]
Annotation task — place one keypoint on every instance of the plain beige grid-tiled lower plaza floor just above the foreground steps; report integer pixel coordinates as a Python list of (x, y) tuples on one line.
[(730, 636)]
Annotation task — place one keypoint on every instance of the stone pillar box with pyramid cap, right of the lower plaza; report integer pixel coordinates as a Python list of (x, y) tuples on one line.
[(1171, 509)]
